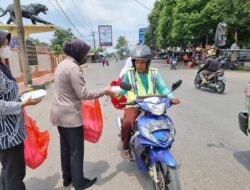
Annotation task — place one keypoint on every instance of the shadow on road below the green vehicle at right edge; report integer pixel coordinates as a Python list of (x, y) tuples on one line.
[(242, 157)]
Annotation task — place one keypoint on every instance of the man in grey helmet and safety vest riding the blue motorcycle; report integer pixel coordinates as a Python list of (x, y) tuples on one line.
[(144, 81)]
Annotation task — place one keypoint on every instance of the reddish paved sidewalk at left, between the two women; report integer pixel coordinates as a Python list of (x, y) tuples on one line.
[(41, 82)]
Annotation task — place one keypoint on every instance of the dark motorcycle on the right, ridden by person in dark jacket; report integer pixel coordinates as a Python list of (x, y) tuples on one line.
[(216, 81)]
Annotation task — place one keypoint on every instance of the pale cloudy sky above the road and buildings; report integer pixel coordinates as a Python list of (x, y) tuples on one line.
[(125, 16)]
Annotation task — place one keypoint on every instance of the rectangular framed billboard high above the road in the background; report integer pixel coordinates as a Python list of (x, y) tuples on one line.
[(105, 35)]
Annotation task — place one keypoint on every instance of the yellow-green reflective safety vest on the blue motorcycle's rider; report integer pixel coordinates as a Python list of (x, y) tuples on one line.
[(137, 86)]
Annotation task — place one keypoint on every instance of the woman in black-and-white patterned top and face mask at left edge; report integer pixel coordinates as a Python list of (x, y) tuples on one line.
[(12, 130)]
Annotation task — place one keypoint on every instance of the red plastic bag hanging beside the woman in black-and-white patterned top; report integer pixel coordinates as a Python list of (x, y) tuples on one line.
[(35, 144)]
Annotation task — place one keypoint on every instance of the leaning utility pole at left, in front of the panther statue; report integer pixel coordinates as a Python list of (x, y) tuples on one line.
[(23, 53)]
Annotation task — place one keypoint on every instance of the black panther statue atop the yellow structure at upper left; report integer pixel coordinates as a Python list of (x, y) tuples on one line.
[(30, 11)]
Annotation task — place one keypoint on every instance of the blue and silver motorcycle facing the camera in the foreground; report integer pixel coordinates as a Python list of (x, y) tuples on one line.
[(152, 140)]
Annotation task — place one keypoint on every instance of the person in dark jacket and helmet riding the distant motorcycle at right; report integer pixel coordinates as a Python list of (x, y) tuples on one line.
[(211, 65)]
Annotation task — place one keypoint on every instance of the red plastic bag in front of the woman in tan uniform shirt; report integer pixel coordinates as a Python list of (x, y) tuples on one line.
[(92, 118)]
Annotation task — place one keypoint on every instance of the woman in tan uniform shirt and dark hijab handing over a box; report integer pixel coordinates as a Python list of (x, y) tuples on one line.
[(70, 90)]
